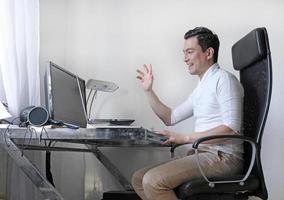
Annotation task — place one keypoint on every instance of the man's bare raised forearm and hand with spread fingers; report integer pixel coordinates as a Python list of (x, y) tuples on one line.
[(161, 110)]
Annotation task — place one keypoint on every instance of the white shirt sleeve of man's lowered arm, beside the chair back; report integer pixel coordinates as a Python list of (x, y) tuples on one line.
[(230, 97)]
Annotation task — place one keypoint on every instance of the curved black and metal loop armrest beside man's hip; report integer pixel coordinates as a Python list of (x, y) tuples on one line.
[(237, 137)]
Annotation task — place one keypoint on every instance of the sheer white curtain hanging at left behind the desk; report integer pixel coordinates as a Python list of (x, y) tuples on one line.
[(19, 56)]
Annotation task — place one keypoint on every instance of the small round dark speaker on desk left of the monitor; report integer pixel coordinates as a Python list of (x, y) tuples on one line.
[(34, 115)]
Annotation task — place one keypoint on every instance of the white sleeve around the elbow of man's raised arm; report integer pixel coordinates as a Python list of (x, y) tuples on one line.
[(182, 112)]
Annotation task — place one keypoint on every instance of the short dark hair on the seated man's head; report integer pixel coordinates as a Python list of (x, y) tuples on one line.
[(206, 38)]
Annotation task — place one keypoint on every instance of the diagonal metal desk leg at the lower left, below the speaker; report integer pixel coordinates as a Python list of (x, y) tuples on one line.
[(47, 190)]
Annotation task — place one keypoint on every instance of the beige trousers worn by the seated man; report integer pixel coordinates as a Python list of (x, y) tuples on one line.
[(157, 182)]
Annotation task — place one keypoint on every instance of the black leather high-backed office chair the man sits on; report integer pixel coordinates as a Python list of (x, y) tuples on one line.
[(251, 56)]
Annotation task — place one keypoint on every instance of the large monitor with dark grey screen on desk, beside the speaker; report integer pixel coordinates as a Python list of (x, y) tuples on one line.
[(65, 100)]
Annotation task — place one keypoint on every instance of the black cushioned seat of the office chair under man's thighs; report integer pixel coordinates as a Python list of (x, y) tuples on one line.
[(200, 186)]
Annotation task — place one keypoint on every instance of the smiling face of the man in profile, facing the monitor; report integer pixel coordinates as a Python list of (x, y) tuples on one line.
[(197, 60)]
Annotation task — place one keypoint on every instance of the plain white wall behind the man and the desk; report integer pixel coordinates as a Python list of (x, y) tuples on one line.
[(110, 39)]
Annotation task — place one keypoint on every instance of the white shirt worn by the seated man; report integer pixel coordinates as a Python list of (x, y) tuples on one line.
[(217, 100)]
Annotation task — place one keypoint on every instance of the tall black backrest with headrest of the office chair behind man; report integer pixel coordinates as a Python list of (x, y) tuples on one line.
[(251, 56)]
